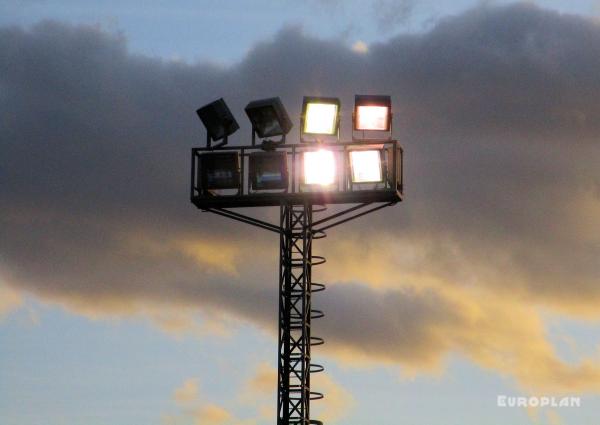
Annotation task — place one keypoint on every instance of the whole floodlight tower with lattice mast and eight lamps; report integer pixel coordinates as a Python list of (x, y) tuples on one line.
[(302, 179)]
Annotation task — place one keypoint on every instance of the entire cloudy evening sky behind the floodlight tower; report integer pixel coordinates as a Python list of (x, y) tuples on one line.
[(121, 303)]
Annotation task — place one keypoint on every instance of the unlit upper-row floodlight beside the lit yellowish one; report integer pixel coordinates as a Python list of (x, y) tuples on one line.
[(268, 117)]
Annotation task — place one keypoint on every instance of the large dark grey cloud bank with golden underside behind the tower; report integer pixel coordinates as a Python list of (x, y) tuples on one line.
[(497, 109)]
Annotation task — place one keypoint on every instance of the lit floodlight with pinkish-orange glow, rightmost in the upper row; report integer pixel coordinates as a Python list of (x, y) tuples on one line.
[(372, 113)]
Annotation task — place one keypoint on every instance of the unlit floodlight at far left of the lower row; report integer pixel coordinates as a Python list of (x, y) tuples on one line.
[(220, 170)]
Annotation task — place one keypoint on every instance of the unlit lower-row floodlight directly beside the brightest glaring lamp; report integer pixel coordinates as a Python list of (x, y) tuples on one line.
[(268, 170)]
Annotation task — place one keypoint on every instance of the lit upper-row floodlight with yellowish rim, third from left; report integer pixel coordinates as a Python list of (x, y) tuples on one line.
[(320, 115)]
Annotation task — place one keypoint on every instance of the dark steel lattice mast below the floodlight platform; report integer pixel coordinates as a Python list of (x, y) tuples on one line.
[(295, 315)]
